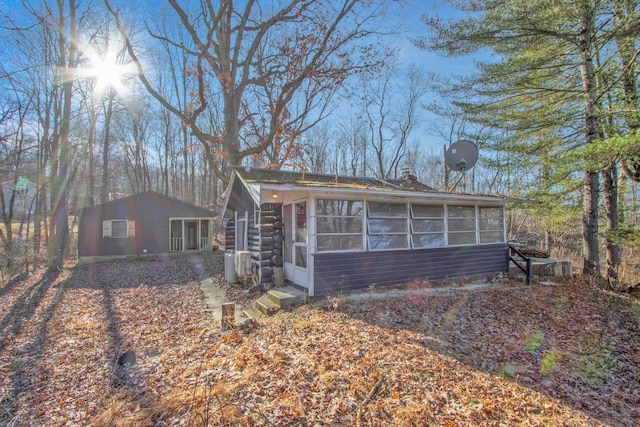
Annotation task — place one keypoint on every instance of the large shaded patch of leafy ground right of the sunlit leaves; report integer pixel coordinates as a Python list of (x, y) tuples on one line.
[(572, 343)]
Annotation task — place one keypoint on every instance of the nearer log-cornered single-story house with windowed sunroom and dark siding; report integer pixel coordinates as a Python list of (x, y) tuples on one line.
[(328, 233)]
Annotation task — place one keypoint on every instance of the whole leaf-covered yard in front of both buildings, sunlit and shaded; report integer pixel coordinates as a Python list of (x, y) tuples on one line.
[(505, 355)]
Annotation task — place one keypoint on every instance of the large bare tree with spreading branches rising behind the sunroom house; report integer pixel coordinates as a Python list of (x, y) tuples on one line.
[(272, 67)]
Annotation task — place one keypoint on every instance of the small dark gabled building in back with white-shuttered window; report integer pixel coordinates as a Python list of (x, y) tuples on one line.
[(145, 223)]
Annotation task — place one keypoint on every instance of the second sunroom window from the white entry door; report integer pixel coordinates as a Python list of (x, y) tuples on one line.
[(387, 226)]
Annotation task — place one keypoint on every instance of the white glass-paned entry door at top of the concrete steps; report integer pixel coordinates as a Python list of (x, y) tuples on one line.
[(295, 245)]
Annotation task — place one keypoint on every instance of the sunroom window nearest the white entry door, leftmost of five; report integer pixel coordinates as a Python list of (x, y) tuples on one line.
[(339, 225)]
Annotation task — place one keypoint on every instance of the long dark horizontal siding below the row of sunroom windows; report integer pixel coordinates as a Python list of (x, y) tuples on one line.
[(335, 272)]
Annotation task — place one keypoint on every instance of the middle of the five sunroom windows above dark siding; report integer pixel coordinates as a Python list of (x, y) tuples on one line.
[(427, 226)]
